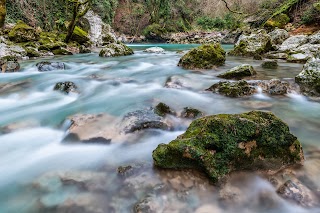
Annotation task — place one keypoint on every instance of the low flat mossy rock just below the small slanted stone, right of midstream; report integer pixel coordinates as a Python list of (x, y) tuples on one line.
[(232, 89)]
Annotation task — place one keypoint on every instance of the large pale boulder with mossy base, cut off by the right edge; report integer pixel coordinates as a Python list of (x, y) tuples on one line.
[(309, 78)]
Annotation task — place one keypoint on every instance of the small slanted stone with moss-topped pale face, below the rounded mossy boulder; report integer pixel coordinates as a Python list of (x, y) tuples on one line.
[(239, 72)]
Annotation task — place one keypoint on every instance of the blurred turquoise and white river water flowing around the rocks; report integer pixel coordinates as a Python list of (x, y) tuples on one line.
[(33, 158)]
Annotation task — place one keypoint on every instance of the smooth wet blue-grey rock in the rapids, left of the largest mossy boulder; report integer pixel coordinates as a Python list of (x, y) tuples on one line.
[(142, 119)]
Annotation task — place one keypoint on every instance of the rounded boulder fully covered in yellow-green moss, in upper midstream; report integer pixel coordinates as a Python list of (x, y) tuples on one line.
[(206, 56)]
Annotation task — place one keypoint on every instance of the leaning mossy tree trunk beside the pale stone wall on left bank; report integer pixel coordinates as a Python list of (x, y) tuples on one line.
[(80, 8)]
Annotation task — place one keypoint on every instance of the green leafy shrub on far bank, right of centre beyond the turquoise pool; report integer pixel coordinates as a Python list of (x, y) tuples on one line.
[(229, 21)]
